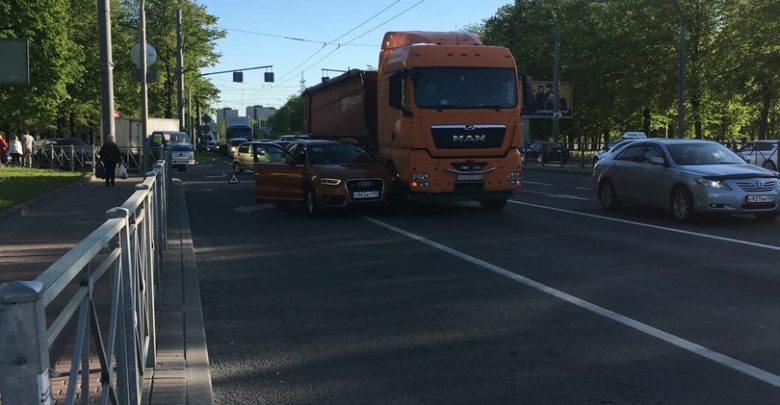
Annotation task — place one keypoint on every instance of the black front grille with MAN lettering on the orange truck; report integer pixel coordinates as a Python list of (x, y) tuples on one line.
[(468, 136)]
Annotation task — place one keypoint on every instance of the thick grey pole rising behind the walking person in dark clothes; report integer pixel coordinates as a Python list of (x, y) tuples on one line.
[(107, 67)]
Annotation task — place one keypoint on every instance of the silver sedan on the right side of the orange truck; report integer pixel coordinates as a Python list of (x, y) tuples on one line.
[(687, 177)]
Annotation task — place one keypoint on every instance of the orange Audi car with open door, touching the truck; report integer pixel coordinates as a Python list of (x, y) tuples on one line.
[(322, 174)]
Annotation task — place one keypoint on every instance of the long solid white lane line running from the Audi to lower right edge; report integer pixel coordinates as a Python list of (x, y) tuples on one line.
[(694, 348)]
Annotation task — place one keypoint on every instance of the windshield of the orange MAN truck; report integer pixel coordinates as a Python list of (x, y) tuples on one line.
[(461, 87)]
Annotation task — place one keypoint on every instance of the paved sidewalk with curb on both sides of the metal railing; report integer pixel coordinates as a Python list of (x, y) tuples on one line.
[(37, 234)]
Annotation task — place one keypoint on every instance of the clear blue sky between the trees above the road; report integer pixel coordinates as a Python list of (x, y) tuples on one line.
[(308, 36)]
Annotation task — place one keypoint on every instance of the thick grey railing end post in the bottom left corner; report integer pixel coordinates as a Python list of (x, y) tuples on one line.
[(24, 347)]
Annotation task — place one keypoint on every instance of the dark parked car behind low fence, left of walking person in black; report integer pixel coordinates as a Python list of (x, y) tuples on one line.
[(64, 152)]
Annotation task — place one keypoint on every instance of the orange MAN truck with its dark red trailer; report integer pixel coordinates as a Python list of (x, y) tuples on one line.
[(442, 113)]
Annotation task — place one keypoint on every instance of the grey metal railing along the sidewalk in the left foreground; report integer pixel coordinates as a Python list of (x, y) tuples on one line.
[(120, 263)]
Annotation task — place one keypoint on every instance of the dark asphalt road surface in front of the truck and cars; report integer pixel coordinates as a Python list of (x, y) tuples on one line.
[(550, 301)]
